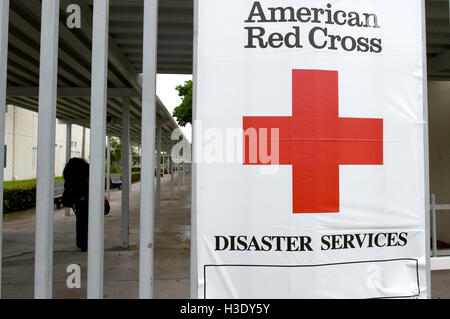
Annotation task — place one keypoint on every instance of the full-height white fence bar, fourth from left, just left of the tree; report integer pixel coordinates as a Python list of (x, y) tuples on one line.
[(146, 247)]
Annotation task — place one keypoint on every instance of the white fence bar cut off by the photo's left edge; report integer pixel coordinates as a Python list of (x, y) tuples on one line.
[(4, 24)]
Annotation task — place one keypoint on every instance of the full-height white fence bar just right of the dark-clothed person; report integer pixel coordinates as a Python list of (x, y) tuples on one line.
[(97, 150)]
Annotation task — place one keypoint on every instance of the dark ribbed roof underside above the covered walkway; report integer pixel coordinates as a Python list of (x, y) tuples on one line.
[(175, 47)]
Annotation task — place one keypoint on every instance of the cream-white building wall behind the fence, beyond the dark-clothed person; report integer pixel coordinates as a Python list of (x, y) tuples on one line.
[(21, 141)]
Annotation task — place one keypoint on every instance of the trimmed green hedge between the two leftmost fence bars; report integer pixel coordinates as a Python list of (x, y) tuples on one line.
[(19, 197)]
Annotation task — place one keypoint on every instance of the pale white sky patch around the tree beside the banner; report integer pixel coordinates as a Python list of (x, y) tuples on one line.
[(165, 89)]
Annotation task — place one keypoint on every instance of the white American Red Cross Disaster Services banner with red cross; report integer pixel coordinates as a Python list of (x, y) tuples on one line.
[(310, 179)]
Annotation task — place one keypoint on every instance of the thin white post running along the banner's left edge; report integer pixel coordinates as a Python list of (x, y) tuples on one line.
[(193, 243)]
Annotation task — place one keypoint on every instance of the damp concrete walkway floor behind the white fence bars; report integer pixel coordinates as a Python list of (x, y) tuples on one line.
[(172, 236)]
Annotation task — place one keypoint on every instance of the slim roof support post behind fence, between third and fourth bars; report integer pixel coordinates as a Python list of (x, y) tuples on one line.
[(125, 170)]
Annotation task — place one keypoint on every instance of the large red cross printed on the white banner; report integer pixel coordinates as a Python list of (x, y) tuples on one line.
[(315, 141)]
